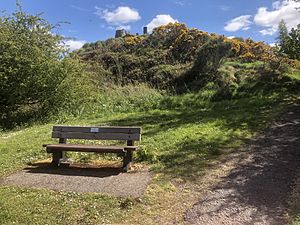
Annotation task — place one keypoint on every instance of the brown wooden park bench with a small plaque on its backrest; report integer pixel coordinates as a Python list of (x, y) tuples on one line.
[(128, 134)]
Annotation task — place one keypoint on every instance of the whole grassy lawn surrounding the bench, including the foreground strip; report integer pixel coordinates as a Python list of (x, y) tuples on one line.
[(178, 142)]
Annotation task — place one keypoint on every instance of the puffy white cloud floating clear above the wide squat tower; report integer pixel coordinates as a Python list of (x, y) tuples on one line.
[(119, 16)]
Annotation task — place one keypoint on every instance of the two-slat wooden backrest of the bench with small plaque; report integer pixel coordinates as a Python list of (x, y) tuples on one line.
[(97, 133)]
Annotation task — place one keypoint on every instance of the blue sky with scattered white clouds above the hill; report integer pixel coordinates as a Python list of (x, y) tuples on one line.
[(93, 20)]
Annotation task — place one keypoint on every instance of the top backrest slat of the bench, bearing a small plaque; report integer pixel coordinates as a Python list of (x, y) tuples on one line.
[(98, 129)]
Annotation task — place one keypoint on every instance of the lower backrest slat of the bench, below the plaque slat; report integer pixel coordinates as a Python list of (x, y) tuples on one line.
[(97, 136)]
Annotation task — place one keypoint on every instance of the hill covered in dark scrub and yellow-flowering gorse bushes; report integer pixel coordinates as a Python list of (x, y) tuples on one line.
[(178, 59)]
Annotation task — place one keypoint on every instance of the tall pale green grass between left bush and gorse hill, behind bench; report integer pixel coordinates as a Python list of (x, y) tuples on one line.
[(112, 99)]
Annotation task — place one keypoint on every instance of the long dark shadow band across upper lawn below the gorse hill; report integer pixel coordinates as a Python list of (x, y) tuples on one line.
[(250, 113)]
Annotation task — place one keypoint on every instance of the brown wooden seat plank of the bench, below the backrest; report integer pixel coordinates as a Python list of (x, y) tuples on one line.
[(88, 148)]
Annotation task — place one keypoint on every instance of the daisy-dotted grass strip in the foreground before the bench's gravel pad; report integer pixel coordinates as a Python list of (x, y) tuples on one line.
[(26, 206)]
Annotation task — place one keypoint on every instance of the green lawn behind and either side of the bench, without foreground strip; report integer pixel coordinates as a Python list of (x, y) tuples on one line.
[(200, 130)]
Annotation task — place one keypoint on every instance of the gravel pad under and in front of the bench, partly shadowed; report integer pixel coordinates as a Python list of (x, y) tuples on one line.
[(85, 180)]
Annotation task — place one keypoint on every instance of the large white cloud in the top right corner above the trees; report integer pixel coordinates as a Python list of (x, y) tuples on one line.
[(286, 10)]
